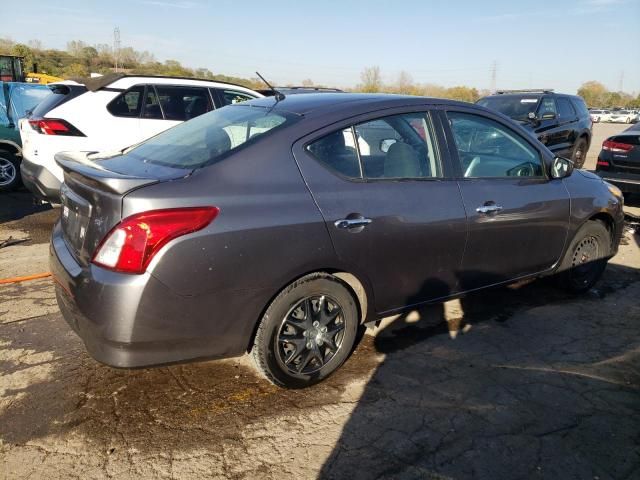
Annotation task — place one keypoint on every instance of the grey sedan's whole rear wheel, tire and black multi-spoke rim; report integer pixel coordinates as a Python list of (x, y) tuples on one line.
[(303, 339)]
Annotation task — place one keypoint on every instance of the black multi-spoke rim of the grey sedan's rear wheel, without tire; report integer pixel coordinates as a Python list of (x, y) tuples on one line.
[(311, 334)]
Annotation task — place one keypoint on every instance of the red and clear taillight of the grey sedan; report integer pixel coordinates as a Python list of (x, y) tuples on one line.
[(131, 245)]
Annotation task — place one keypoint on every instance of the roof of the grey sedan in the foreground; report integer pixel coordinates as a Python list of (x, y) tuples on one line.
[(311, 103)]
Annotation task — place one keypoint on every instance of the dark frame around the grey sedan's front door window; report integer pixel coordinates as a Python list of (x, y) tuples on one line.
[(455, 156)]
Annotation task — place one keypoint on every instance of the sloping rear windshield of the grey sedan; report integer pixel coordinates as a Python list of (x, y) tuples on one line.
[(208, 138)]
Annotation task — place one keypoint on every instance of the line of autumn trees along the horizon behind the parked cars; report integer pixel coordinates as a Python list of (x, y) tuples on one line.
[(79, 59)]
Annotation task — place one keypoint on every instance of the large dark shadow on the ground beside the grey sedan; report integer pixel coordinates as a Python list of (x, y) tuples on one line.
[(543, 385)]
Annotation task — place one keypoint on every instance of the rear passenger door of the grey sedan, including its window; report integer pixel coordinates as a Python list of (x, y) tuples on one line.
[(393, 213)]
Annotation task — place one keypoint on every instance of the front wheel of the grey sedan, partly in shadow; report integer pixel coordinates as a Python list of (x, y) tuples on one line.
[(586, 258)]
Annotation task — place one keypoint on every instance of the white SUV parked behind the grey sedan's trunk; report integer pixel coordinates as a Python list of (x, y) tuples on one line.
[(110, 113)]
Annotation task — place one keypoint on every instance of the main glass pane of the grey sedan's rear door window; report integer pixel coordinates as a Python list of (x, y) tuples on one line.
[(398, 146)]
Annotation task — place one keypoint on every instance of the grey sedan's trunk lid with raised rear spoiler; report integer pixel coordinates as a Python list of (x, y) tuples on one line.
[(92, 194)]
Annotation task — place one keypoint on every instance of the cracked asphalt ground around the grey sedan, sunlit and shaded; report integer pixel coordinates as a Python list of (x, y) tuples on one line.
[(541, 385)]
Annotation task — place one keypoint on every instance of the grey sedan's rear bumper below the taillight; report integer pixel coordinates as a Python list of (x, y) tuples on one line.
[(130, 321)]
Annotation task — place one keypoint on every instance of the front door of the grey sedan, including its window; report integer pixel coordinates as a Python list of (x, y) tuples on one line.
[(518, 217)]
